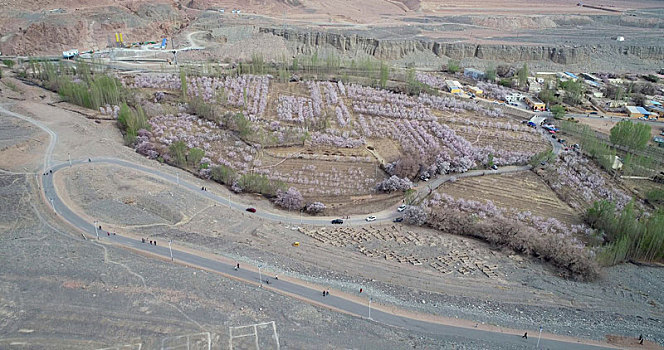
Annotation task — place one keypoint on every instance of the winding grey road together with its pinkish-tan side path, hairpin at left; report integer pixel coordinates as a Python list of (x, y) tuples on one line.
[(419, 323)]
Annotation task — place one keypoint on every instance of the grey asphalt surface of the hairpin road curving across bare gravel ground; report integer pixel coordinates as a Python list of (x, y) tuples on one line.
[(509, 340)]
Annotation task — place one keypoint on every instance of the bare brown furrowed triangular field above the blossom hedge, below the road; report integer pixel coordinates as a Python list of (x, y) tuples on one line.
[(521, 191)]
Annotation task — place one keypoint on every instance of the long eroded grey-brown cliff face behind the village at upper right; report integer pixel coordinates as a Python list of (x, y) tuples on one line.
[(308, 42)]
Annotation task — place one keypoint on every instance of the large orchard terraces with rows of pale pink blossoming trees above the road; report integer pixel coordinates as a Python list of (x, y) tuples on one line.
[(329, 140)]
